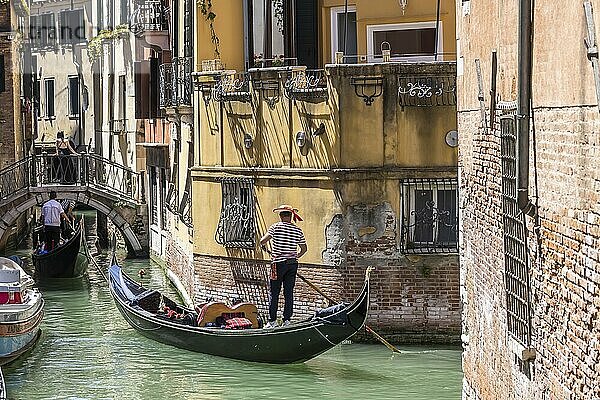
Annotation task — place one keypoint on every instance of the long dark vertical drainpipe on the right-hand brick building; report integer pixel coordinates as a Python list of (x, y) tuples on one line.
[(524, 106)]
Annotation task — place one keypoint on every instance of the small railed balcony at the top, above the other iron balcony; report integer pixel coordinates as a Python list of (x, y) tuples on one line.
[(149, 22)]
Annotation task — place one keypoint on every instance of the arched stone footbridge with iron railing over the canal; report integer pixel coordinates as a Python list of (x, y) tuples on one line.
[(110, 188)]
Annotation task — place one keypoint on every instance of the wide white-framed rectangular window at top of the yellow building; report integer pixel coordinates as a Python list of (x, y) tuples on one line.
[(409, 42)]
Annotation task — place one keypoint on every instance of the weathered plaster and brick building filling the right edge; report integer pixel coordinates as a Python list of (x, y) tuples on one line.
[(529, 200)]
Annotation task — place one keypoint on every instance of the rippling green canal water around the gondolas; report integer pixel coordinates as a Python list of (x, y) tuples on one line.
[(87, 351)]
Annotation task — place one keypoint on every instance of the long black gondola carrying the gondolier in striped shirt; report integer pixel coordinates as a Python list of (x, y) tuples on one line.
[(297, 342)]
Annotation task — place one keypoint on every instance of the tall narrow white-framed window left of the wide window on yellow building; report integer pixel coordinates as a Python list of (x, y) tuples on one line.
[(338, 32)]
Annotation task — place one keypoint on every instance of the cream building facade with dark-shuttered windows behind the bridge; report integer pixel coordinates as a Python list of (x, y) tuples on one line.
[(61, 71)]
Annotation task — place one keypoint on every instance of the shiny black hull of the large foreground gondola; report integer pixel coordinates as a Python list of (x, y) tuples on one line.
[(295, 343)]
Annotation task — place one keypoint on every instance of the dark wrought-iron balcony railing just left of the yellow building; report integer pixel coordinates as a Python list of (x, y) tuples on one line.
[(175, 83)]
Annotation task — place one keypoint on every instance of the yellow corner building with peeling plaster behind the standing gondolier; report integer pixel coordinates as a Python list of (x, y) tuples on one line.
[(365, 148)]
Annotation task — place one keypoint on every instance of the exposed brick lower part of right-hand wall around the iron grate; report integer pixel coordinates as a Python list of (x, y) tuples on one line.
[(565, 271)]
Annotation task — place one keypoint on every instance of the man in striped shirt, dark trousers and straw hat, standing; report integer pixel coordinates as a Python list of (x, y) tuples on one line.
[(286, 238)]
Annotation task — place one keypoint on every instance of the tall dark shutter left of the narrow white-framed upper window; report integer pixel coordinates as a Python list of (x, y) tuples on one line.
[(307, 36)]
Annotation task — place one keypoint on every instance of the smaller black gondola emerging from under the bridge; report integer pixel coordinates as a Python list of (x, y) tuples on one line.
[(69, 260)]
